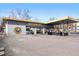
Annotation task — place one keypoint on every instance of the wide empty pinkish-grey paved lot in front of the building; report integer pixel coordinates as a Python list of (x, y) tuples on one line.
[(42, 45)]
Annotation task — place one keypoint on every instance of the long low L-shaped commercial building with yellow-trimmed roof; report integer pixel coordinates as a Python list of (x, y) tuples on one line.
[(68, 23)]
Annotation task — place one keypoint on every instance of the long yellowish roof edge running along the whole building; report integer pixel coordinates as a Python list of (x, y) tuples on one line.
[(52, 21)]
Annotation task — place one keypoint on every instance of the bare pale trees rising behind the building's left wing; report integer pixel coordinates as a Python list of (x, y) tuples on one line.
[(19, 13)]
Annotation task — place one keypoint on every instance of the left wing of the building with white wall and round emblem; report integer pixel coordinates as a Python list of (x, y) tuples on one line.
[(14, 26)]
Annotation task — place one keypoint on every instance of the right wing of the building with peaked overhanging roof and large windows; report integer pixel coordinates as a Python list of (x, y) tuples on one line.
[(65, 24)]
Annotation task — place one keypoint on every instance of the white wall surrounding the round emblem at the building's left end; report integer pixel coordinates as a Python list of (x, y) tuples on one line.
[(10, 29)]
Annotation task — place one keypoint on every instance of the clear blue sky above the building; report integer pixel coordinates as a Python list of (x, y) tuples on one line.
[(43, 11)]
